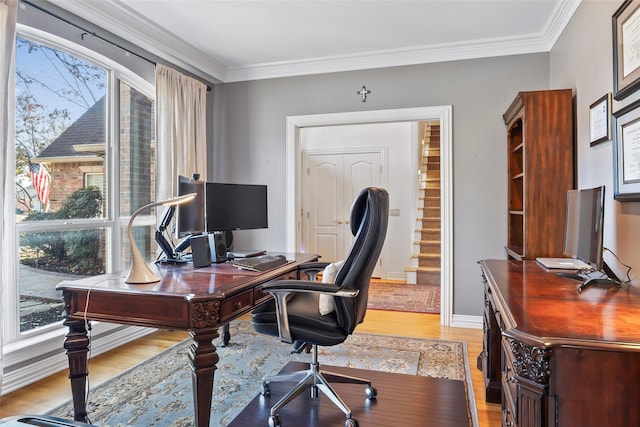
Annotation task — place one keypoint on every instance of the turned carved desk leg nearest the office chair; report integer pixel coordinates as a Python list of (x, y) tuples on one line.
[(203, 359)]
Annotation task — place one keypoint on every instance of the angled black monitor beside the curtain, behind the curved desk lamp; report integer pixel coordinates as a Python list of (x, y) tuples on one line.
[(190, 215)]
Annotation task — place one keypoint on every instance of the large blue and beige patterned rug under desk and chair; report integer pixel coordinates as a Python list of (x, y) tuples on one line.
[(158, 392)]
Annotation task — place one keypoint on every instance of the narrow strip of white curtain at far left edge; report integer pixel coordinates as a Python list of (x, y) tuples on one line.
[(8, 16)]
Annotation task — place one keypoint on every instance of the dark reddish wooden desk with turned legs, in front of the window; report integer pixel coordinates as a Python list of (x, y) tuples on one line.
[(196, 300)]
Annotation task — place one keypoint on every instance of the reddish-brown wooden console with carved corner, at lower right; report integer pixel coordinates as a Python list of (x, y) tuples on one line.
[(556, 357)]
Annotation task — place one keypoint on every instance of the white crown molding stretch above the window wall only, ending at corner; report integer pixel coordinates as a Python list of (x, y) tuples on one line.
[(124, 22)]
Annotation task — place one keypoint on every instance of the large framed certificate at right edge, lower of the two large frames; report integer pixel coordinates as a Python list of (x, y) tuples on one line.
[(626, 153)]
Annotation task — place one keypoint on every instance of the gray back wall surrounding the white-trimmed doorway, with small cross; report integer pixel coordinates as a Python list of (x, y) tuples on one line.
[(249, 140)]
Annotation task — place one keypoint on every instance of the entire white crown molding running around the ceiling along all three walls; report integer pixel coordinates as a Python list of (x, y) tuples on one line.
[(118, 18)]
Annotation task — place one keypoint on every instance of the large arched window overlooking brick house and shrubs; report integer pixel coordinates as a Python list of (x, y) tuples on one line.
[(84, 161)]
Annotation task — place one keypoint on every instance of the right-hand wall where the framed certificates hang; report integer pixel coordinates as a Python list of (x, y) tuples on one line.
[(582, 59)]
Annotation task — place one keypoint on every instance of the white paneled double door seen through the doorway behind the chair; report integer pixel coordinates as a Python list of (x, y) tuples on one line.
[(332, 182)]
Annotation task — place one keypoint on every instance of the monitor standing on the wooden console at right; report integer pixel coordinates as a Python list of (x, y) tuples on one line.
[(584, 221)]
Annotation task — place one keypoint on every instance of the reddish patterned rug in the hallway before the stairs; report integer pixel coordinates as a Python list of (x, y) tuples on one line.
[(399, 296)]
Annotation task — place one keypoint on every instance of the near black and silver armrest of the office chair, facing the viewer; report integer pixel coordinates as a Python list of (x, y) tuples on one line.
[(283, 289)]
